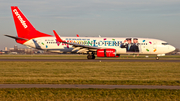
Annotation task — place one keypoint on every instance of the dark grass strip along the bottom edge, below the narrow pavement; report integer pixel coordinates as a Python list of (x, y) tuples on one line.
[(48, 94)]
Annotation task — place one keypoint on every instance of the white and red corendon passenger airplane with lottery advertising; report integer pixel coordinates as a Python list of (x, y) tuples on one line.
[(100, 46)]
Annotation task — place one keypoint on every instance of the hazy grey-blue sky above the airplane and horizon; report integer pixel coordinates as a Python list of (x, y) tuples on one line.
[(158, 19)]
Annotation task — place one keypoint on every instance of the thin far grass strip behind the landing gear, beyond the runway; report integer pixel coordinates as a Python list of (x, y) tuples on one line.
[(76, 56)]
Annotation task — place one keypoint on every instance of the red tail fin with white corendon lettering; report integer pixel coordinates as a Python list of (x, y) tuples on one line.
[(23, 26)]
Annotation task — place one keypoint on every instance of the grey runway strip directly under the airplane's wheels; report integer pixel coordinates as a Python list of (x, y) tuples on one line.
[(86, 60)]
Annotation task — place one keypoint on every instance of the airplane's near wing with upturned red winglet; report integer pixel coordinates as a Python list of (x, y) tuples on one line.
[(79, 47)]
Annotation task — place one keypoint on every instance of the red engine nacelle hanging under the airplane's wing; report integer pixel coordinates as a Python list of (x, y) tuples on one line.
[(106, 53)]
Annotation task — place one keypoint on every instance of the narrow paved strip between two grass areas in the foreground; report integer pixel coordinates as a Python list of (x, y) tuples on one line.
[(87, 86)]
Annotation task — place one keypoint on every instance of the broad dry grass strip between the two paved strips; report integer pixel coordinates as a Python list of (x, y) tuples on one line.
[(115, 73)]
